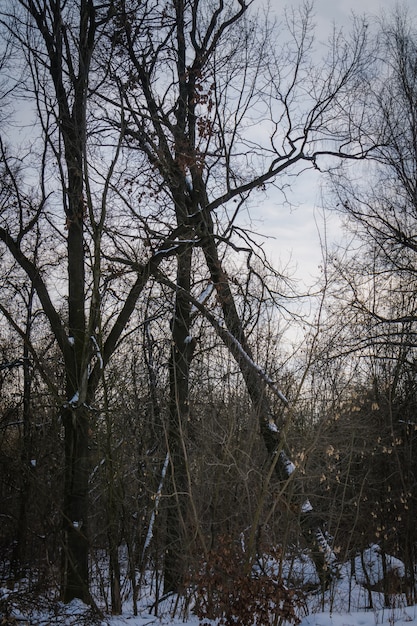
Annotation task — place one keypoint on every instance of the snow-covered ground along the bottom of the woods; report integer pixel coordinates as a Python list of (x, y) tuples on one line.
[(348, 603)]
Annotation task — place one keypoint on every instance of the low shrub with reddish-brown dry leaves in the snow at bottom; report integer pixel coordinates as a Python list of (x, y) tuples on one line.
[(229, 591)]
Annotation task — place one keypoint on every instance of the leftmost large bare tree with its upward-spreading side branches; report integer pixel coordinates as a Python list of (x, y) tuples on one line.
[(58, 42)]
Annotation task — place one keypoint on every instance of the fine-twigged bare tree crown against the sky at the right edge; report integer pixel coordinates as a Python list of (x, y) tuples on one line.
[(381, 206)]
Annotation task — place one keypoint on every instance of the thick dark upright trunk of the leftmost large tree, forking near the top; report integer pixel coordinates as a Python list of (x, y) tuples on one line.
[(69, 60)]
